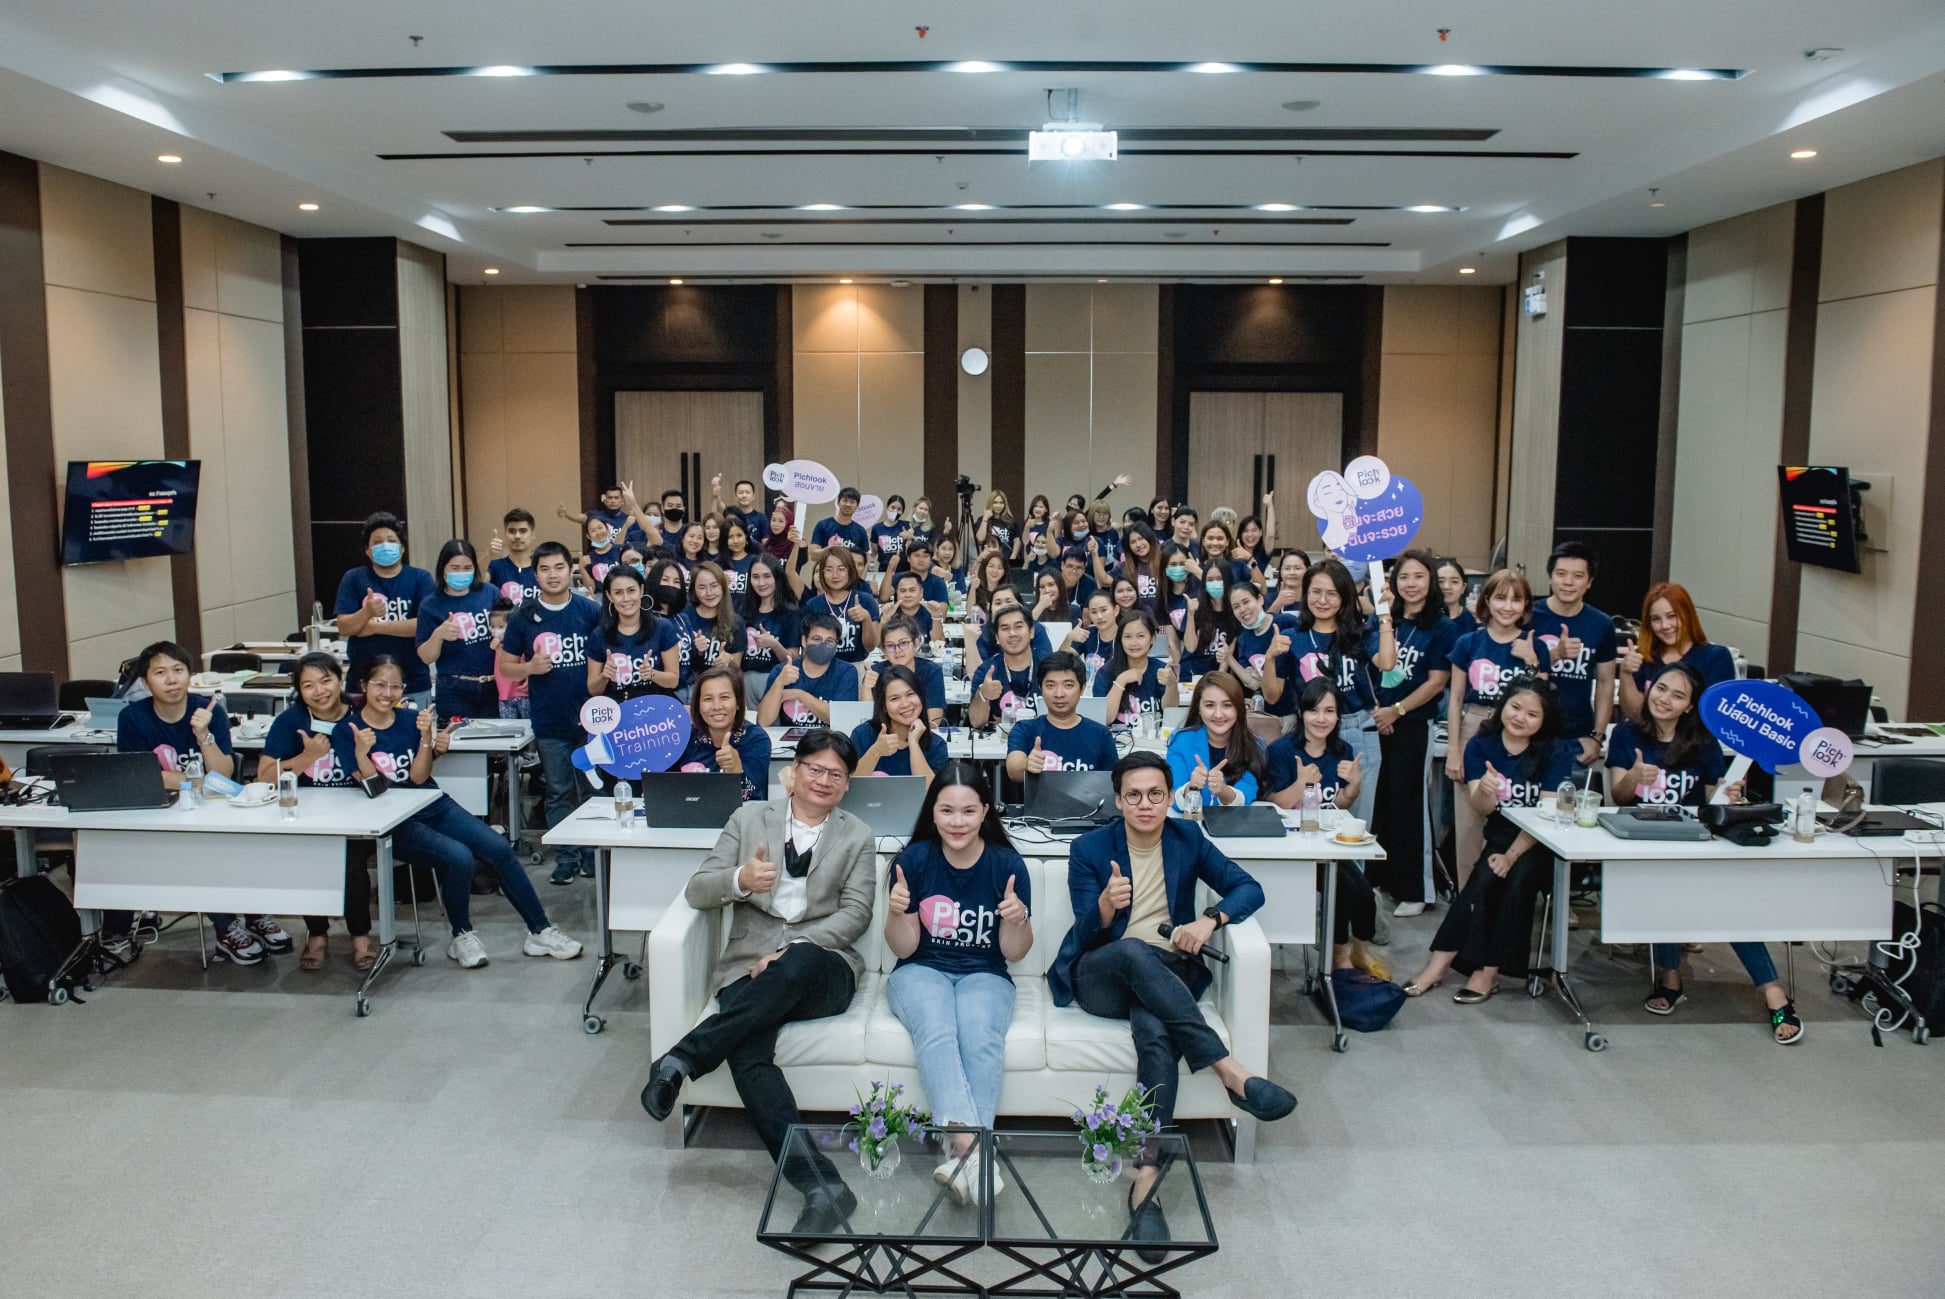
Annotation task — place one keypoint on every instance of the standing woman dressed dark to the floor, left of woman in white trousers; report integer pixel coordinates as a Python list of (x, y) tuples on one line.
[(1407, 697)]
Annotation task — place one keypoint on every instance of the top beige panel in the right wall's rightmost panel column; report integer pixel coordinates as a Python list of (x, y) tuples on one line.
[(1884, 234)]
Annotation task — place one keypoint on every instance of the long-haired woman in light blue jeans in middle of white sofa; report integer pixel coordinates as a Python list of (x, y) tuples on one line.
[(952, 989)]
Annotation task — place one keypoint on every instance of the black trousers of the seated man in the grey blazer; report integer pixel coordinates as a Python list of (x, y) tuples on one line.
[(806, 983)]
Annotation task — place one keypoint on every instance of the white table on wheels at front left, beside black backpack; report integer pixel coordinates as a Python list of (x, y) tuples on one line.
[(221, 859)]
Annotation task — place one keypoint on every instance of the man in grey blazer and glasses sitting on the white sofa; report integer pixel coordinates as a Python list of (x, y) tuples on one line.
[(800, 876)]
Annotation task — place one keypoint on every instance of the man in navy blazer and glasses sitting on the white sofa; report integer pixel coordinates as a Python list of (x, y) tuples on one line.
[(1129, 882)]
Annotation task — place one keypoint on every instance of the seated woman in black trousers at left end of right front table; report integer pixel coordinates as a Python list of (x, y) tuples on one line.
[(1518, 759)]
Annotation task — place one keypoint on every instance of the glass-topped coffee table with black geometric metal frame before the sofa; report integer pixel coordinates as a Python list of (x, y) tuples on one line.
[(1049, 1232)]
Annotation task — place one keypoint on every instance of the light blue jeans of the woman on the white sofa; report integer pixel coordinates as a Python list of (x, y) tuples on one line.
[(958, 1026)]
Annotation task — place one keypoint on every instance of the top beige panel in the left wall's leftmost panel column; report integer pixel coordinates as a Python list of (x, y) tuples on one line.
[(96, 236)]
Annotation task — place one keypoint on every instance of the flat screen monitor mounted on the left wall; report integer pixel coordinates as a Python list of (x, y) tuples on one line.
[(129, 510)]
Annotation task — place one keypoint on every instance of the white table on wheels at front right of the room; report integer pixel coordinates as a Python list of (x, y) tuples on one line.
[(1660, 892)]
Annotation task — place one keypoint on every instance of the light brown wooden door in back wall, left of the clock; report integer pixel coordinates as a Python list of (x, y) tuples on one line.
[(684, 440)]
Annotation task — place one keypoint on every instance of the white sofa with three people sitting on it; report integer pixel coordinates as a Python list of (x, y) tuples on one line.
[(1055, 1057)]
